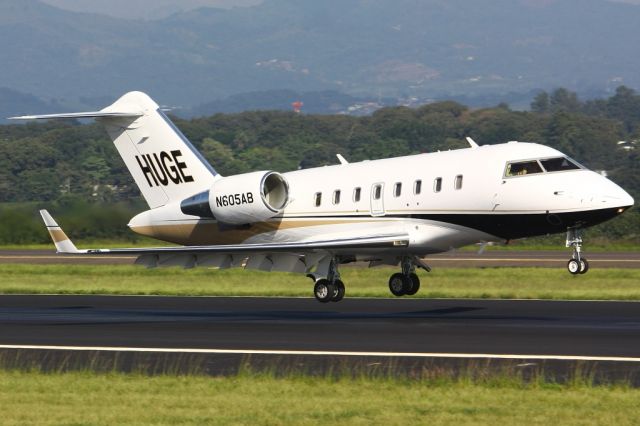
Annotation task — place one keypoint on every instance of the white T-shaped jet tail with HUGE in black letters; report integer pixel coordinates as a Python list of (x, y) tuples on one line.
[(164, 164)]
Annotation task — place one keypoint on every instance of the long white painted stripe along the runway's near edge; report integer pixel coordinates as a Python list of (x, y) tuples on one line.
[(324, 353)]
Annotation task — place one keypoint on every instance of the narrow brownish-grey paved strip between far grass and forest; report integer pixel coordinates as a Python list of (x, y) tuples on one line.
[(453, 259)]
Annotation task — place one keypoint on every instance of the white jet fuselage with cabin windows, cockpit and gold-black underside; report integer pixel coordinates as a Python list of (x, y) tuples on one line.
[(443, 200)]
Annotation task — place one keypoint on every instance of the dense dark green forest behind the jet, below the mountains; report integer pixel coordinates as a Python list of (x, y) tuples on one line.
[(74, 169)]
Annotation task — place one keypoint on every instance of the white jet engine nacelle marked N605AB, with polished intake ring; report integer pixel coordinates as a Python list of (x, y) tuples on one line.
[(241, 199)]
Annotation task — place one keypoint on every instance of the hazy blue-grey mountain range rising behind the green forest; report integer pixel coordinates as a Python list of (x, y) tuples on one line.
[(365, 48)]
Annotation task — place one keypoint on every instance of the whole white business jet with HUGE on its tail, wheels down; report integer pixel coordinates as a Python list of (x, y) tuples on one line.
[(393, 211)]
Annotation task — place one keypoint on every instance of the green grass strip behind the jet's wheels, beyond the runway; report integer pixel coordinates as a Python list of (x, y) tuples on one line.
[(521, 283)]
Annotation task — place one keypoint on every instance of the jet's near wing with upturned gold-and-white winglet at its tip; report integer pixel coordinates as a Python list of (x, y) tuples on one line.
[(65, 246)]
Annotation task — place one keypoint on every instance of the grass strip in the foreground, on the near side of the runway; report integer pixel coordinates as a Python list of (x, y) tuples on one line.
[(91, 398)]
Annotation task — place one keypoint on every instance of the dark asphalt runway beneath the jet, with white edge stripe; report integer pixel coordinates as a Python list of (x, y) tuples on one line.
[(408, 333)]
